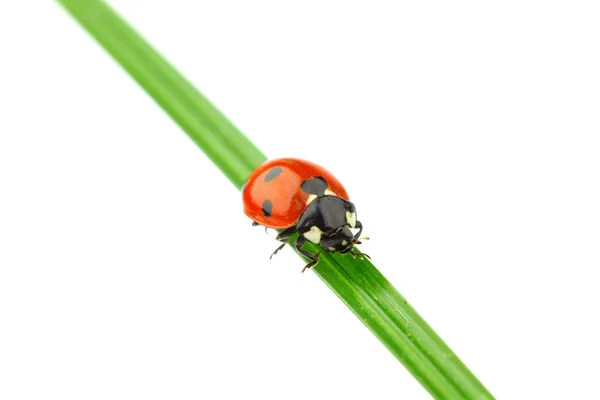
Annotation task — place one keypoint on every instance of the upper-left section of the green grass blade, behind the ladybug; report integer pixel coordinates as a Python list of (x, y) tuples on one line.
[(222, 142)]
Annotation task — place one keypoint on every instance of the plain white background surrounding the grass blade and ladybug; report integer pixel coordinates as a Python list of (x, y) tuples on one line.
[(465, 132)]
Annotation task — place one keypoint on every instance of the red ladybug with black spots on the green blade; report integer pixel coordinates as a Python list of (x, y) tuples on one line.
[(298, 196)]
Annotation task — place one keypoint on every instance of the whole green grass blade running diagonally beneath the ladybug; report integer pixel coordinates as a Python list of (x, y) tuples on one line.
[(357, 283)]
